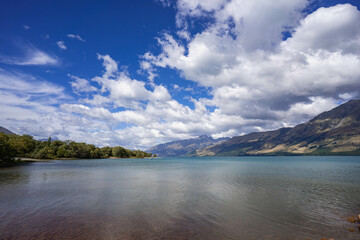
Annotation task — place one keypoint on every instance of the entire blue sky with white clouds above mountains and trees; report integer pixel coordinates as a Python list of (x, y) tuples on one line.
[(137, 73)]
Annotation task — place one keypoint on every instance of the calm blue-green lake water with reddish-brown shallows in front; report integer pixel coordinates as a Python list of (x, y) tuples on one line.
[(241, 198)]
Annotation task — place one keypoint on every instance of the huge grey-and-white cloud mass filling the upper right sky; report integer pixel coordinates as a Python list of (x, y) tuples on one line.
[(253, 72)]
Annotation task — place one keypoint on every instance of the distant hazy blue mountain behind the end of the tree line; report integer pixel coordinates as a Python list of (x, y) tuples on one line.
[(183, 147)]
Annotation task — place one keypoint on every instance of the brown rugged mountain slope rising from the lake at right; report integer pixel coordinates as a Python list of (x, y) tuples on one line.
[(335, 132)]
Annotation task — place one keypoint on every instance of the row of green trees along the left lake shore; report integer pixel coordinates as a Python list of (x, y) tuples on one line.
[(12, 146)]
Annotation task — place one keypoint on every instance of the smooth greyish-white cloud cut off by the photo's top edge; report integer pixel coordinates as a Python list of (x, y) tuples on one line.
[(259, 24)]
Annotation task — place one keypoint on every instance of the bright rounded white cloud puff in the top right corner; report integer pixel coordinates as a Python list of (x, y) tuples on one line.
[(333, 29)]
